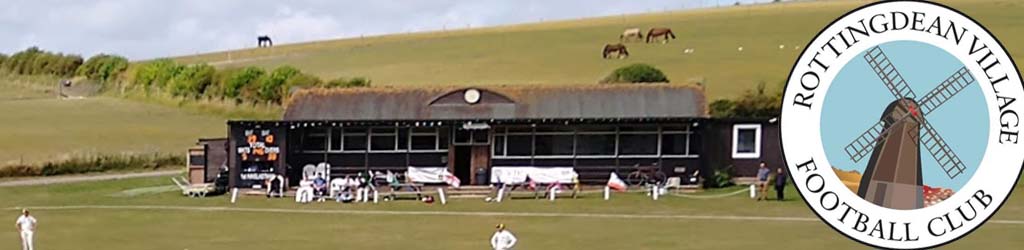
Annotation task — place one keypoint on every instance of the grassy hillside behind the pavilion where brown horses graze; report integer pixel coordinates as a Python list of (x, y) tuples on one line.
[(569, 52)]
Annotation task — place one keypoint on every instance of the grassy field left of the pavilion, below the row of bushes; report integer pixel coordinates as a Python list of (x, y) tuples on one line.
[(39, 128)]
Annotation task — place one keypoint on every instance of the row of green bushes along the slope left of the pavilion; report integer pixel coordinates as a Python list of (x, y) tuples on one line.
[(249, 85)]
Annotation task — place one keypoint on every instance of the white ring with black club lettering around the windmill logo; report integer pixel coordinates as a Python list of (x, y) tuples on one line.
[(998, 173)]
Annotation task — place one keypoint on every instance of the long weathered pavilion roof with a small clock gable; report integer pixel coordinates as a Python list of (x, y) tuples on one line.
[(626, 101)]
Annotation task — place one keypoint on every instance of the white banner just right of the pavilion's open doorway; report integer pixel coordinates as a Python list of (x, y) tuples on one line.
[(516, 176)]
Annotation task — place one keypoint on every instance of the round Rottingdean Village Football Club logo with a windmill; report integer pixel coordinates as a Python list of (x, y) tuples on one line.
[(901, 126)]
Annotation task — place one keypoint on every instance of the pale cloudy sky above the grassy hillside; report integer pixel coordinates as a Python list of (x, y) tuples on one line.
[(147, 29)]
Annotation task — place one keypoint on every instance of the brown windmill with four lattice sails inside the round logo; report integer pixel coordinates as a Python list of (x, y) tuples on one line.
[(893, 177)]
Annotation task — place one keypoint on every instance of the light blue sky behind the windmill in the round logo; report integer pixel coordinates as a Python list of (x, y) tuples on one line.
[(858, 98)]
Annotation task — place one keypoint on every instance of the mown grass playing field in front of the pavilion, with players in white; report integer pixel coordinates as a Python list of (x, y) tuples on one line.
[(140, 222)]
